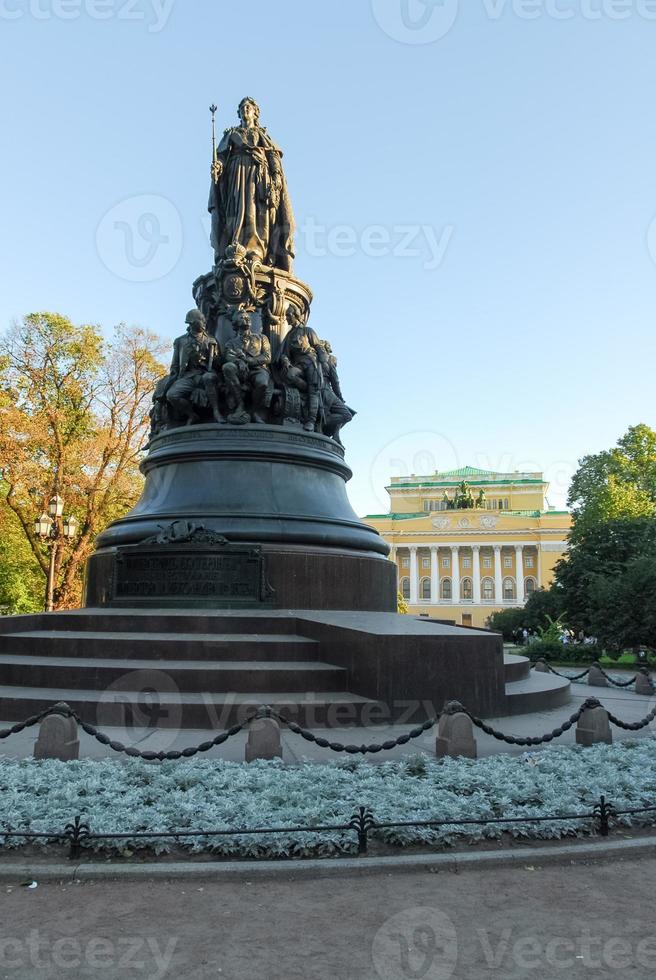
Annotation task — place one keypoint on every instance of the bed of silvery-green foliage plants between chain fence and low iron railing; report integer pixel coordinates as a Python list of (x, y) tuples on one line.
[(132, 796)]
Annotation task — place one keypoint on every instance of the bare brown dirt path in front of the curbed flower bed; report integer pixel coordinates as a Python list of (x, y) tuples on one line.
[(572, 921)]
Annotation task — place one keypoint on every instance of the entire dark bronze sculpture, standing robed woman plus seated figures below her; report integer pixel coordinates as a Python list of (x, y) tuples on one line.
[(248, 356)]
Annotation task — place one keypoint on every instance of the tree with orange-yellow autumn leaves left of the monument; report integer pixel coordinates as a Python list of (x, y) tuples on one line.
[(73, 421)]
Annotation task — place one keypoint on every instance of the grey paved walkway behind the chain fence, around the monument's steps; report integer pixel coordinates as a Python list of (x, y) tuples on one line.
[(625, 704)]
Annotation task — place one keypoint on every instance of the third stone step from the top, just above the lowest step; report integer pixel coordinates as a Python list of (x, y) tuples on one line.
[(185, 675)]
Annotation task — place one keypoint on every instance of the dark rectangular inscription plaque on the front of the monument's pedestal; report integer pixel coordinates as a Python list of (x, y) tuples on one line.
[(227, 576)]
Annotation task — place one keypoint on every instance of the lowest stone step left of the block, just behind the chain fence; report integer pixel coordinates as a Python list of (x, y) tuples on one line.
[(211, 712)]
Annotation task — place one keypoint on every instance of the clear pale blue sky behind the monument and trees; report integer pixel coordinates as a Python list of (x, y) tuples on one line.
[(526, 145)]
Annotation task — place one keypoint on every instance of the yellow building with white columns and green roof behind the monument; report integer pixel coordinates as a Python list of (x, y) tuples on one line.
[(469, 542)]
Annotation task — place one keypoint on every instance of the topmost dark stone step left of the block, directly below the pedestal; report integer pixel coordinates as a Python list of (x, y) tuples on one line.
[(153, 621)]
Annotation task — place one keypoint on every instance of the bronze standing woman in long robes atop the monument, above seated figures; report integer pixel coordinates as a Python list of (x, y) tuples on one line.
[(249, 202)]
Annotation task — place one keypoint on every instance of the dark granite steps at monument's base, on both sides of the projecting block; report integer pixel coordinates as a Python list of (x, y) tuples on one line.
[(199, 670)]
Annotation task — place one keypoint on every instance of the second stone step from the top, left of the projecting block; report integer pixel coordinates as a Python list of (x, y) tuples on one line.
[(159, 646)]
